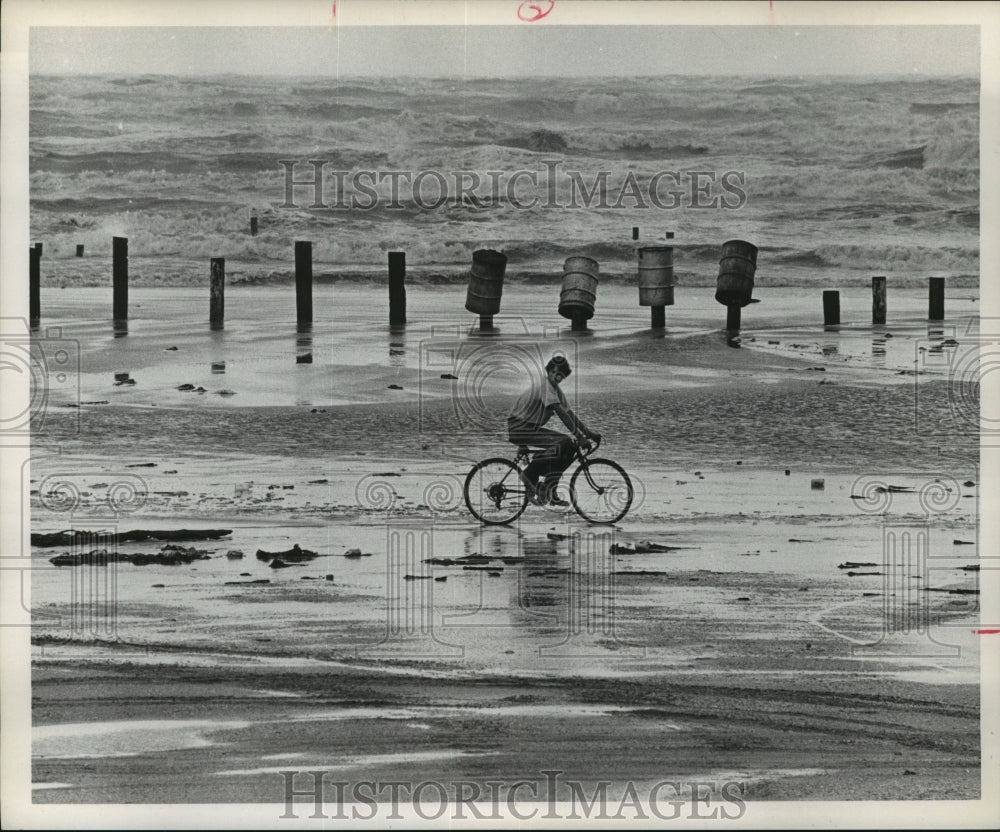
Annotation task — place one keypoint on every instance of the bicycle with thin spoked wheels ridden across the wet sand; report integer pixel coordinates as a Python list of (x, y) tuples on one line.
[(497, 491)]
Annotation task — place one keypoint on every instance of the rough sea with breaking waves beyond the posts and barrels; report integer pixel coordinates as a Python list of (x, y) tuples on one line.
[(834, 179)]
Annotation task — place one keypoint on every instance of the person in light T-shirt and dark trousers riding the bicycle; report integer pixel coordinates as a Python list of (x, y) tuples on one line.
[(525, 427)]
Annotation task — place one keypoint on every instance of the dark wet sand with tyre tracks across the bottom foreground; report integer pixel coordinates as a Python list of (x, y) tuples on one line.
[(827, 733)]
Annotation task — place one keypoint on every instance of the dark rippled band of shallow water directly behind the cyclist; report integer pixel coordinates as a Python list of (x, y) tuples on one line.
[(795, 422)]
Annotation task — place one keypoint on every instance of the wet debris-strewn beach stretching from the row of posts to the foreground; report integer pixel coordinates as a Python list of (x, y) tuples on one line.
[(718, 633)]
